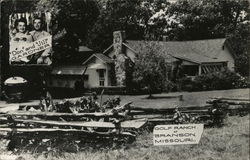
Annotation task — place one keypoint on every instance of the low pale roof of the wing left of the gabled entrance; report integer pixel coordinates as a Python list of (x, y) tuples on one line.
[(68, 70)]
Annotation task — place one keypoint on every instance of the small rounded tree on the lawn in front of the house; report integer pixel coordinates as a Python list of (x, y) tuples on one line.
[(150, 70)]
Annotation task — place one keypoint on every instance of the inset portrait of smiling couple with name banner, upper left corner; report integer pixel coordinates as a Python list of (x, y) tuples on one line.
[(30, 38)]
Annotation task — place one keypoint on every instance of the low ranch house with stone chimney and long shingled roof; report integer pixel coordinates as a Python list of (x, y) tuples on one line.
[(108, 69)]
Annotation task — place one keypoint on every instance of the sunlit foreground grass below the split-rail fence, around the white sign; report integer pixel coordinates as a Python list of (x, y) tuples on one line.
[(229, 142)]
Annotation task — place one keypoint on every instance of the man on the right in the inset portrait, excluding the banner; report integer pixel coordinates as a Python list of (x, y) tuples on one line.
[(42, 57)]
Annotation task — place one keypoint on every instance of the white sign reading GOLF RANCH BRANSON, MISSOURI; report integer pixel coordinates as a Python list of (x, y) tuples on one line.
[(177, 134)]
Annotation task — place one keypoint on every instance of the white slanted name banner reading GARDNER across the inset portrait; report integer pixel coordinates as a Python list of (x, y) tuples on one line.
[(21, 51)]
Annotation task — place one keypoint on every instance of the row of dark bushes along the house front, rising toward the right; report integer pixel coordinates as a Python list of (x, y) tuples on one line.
[(212, 81)]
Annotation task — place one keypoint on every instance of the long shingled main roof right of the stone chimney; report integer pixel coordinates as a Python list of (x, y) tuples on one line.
[(197, 51)]
